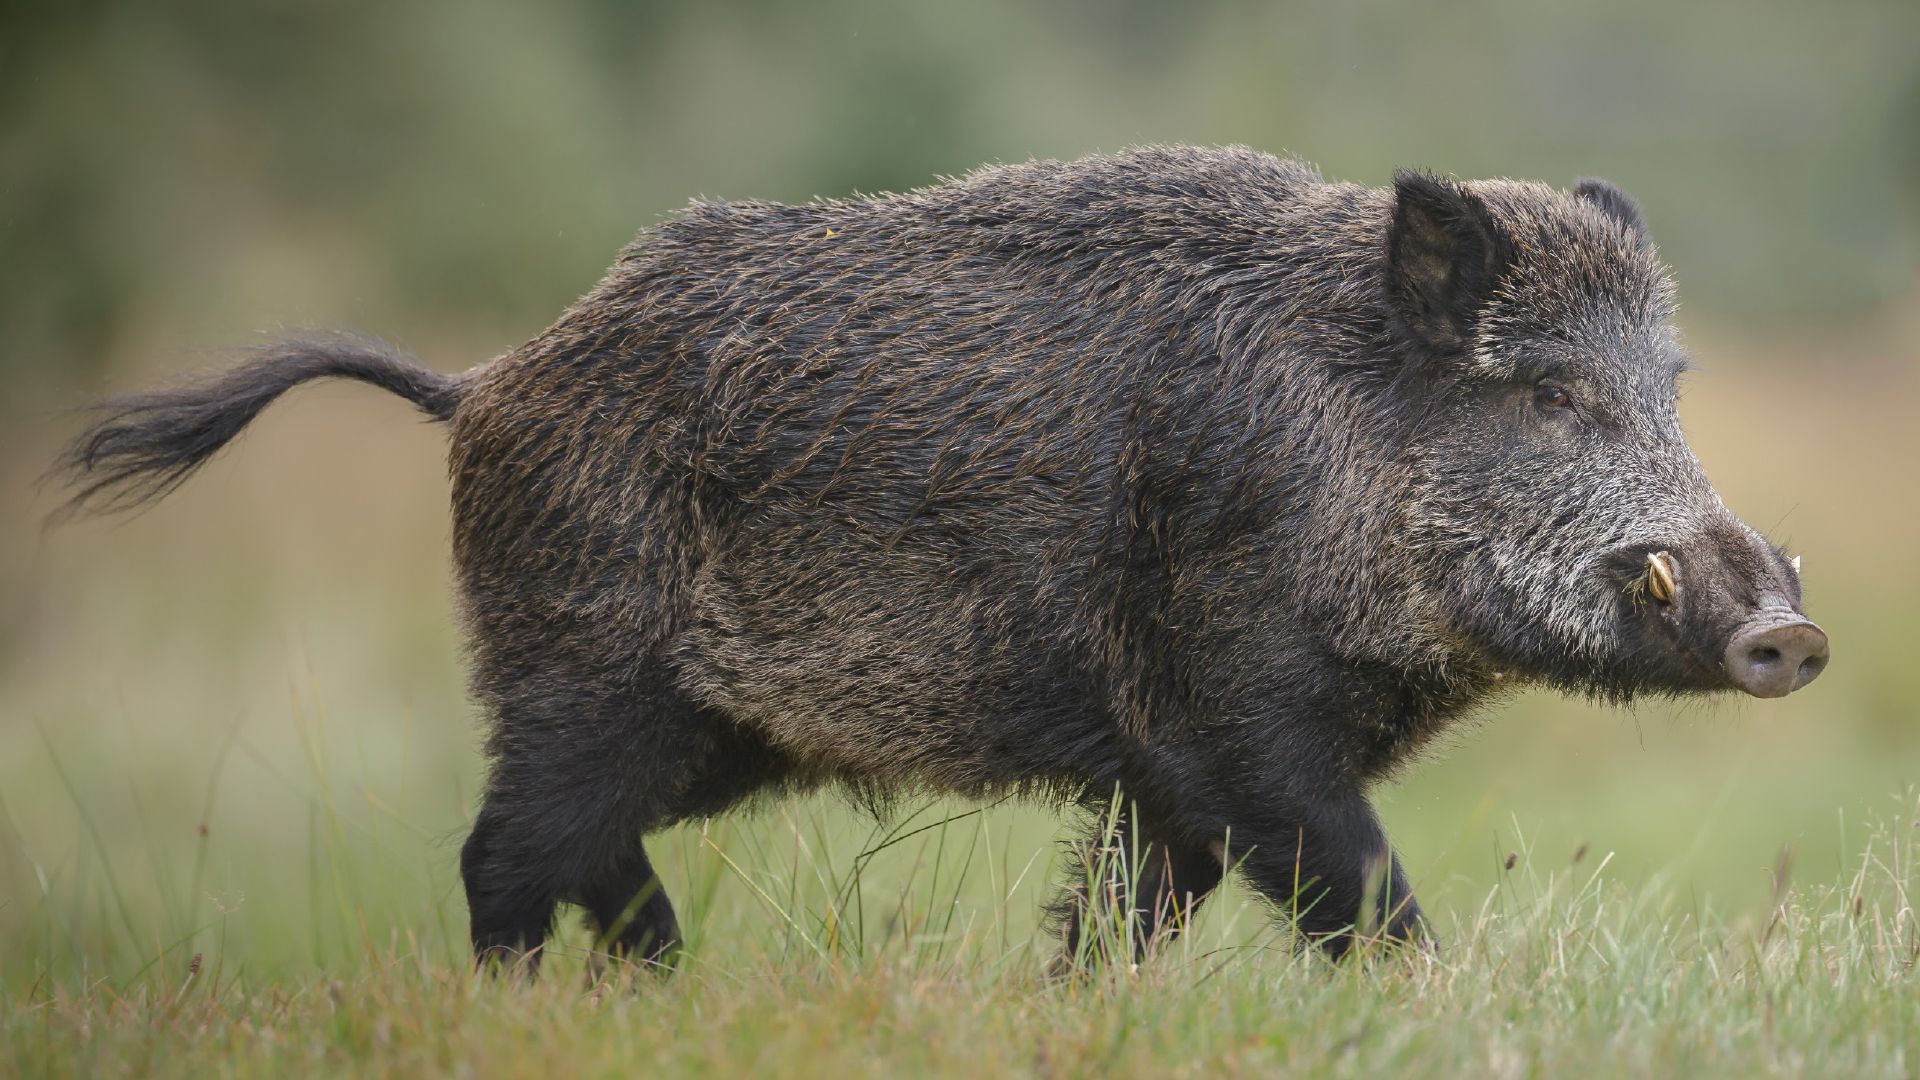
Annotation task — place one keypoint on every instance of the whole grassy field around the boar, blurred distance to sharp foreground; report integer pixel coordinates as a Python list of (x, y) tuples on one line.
[(237, 764)]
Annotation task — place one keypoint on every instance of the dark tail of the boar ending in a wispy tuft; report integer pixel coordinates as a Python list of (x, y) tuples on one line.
[(147, 445)]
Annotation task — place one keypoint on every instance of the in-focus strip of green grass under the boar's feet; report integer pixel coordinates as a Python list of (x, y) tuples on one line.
[(827, 945)]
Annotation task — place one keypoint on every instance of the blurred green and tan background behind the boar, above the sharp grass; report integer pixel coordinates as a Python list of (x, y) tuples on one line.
[(183, 174)]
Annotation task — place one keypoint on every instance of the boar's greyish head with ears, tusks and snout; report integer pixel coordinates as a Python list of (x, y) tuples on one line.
[(1562, 522)]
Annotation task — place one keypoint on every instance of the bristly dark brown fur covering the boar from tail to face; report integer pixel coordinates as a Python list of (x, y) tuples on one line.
[(1180, 472)]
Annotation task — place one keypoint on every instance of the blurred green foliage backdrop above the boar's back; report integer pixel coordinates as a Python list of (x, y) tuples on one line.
[(210, 166)]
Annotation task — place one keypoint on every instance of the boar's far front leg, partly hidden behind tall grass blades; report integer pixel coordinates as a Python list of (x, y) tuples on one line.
[(1132, 885)]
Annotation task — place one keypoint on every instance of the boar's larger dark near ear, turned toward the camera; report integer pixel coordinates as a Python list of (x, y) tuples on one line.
[(1445, 257)]
